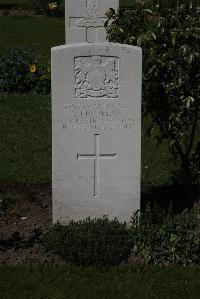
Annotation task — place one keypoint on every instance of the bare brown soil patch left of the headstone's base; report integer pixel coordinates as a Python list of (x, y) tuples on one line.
[(24, 225)]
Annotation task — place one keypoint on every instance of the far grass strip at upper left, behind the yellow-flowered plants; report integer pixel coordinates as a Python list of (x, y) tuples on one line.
[(40, 32)]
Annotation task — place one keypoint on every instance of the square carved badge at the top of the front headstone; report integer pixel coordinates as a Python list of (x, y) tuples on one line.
[(96, 77)]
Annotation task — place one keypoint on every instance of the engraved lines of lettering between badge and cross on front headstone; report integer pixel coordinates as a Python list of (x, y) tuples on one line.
[(94, 116)]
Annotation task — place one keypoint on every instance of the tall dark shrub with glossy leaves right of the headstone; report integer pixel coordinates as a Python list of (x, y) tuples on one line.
[(169, 36)]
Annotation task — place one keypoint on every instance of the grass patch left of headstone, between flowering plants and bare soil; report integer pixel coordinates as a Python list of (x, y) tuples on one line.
[(25, 146)]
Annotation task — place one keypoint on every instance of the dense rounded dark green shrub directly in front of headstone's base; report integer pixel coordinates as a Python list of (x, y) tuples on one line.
[(91, 242)]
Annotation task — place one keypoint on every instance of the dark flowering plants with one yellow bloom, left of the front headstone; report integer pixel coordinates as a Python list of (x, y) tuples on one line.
[(21, 71)]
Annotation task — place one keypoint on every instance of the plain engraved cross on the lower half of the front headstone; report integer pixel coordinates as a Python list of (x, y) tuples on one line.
[(96, 157)]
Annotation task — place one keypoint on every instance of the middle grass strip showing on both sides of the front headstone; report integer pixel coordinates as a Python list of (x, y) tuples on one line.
[(25, 147)]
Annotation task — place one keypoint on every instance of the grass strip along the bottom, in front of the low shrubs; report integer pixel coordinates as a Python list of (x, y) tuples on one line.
[(62, 282)]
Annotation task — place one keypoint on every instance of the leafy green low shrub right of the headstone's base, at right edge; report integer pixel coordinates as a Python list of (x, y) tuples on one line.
[(165, 238)]
